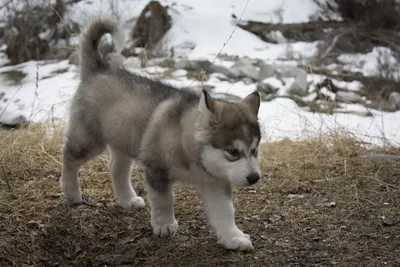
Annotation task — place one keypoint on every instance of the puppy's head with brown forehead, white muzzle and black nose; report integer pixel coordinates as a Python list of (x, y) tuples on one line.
[(228, 136)]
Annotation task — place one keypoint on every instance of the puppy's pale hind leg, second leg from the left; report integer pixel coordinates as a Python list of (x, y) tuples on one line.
[(121, 167)]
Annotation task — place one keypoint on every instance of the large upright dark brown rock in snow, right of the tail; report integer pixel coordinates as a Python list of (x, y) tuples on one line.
[(151, 25)]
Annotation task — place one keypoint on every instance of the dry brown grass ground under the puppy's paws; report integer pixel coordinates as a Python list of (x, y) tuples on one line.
[(318, 204)]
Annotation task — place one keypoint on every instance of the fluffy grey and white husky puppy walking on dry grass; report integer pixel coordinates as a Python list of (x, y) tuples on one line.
[(176, 135)]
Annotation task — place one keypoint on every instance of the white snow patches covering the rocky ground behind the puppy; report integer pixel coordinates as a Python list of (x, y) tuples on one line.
[(200, 30)]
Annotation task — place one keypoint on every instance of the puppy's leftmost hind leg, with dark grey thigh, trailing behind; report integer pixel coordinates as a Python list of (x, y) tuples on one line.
[(76, 152)]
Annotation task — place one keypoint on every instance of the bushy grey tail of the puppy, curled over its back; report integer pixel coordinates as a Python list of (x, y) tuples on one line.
[(91, 59)]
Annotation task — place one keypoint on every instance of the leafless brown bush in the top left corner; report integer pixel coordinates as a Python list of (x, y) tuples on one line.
[(31, 28)]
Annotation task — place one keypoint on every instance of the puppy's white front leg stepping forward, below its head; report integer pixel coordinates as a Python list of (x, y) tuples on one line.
[(217, 201)]
